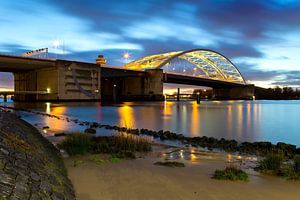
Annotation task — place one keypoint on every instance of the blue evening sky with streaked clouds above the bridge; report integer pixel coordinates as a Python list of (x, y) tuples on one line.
[(262, 38)]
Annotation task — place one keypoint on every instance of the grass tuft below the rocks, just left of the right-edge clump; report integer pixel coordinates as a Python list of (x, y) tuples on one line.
[(271, 163)]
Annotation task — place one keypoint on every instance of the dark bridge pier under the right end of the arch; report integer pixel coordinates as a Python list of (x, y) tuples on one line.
[(245, 92)]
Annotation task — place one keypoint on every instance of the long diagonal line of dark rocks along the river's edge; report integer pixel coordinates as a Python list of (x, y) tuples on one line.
[(259, 148)]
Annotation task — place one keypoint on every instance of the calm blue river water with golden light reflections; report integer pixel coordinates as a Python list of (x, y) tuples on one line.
[(272, 121)]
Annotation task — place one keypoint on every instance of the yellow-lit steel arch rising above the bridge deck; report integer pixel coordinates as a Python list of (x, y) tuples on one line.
[(202, 63)]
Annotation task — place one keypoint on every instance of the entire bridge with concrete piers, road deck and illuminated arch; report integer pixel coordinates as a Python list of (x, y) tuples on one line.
[(139, 80)]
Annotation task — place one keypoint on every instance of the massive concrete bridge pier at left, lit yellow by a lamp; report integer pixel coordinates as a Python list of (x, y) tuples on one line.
[(60, 82)]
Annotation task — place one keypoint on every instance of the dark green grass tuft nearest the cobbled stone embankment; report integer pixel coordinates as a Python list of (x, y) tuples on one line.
[(77, 143)]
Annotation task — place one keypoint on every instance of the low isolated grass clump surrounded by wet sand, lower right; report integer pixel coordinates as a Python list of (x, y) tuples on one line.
[(231, 173)]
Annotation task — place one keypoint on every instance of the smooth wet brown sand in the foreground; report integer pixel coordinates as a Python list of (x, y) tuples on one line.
[(140, 179)]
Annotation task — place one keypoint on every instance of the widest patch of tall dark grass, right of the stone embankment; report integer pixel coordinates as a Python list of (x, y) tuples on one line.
[(120, 145)]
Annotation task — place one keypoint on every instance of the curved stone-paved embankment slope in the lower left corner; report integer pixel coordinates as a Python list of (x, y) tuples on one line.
[(30, 166)]
